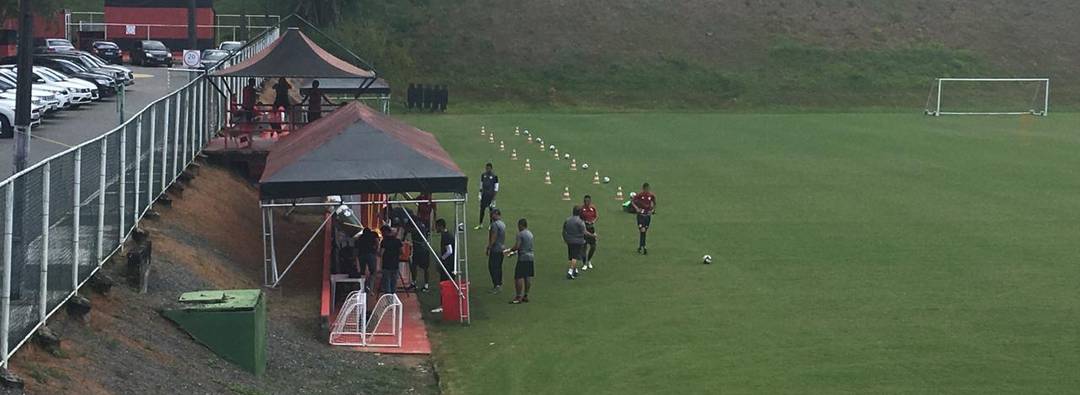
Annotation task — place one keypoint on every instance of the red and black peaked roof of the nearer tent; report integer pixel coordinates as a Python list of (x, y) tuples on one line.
[(359, 151)]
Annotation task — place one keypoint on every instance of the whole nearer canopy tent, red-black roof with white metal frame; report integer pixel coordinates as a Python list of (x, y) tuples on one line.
[(357, 151)]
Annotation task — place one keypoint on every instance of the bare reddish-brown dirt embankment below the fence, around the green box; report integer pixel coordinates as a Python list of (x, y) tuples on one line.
[(210, 239)]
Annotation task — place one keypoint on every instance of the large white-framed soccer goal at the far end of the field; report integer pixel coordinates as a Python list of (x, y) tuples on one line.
[(990, 97)]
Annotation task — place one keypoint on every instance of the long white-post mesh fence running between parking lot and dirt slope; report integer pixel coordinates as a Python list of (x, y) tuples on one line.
[(67, 215)]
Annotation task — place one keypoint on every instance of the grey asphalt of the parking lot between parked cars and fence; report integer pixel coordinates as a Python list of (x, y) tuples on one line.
[(71, 128)]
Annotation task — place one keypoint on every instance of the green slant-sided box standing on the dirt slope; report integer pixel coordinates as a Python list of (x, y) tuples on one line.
[(232, 323)]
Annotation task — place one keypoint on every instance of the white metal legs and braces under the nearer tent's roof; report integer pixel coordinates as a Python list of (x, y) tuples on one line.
[(274, 277)]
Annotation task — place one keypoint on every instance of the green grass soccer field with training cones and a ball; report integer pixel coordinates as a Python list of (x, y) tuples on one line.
[(854, 253)]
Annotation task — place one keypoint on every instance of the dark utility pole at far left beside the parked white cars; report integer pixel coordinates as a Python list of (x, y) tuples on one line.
[(24, 86)]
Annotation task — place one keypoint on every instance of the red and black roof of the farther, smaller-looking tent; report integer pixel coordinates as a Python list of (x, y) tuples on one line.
[(294, 56)]
